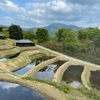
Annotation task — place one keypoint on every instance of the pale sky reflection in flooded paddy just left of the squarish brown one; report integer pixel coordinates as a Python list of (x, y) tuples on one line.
[(48, 73)]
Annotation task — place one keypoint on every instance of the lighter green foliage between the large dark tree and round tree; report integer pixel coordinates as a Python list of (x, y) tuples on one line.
[(29, 34)]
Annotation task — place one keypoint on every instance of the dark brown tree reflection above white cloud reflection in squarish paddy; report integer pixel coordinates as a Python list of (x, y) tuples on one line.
[(73, 73)]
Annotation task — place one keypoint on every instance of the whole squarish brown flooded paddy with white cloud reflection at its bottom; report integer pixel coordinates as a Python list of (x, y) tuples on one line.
[(72, 76)]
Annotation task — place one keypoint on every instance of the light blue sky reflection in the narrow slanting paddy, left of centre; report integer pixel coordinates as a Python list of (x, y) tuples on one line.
[(25, 69)]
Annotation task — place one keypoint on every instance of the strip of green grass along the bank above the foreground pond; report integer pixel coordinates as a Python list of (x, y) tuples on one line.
[(91, 94)]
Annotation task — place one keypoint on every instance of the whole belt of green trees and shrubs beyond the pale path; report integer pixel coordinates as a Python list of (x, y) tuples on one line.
[(83, 44)]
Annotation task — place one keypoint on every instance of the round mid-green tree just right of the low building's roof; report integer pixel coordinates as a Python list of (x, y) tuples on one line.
[(42, 35)]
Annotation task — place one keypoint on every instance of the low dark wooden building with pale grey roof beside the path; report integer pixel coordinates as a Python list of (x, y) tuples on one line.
[(24, 43)]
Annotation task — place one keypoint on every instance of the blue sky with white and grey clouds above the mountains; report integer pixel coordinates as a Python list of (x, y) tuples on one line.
[(33, 13)]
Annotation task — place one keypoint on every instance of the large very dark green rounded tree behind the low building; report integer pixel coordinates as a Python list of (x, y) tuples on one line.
[(15, 32)]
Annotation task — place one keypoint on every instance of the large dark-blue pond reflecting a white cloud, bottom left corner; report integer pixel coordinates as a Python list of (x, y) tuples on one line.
[(11, 91)]
